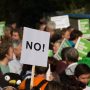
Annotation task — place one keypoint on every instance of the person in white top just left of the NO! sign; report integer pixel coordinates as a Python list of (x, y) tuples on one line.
[(15, 65)]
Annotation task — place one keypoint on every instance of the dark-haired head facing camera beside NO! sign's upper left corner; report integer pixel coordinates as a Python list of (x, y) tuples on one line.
[(17, 34)]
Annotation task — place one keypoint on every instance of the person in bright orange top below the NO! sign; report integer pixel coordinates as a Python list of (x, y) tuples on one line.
[(39, 77)]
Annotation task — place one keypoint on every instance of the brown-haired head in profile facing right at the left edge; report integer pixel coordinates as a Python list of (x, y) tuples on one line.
[(6, 50)]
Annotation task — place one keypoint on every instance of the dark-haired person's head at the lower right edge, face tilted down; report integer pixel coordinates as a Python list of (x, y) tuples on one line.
[(82, 73)]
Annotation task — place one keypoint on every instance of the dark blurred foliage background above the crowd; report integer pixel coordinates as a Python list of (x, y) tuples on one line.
[(28, 12)]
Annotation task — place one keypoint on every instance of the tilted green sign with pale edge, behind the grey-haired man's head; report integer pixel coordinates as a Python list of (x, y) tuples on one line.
[(64, 44)]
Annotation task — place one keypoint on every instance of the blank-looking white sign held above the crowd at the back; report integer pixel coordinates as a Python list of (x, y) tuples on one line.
[(61, 21)]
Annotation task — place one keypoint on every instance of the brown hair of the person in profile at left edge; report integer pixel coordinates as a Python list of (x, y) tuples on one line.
[(4, 47)]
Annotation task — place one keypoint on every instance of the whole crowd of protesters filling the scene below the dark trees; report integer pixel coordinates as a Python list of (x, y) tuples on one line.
[(69, 73)]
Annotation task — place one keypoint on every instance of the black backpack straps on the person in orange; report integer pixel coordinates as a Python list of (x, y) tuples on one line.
[(35, 87)]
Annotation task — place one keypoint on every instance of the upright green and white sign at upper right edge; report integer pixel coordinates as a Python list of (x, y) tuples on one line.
[(84, 27)]
